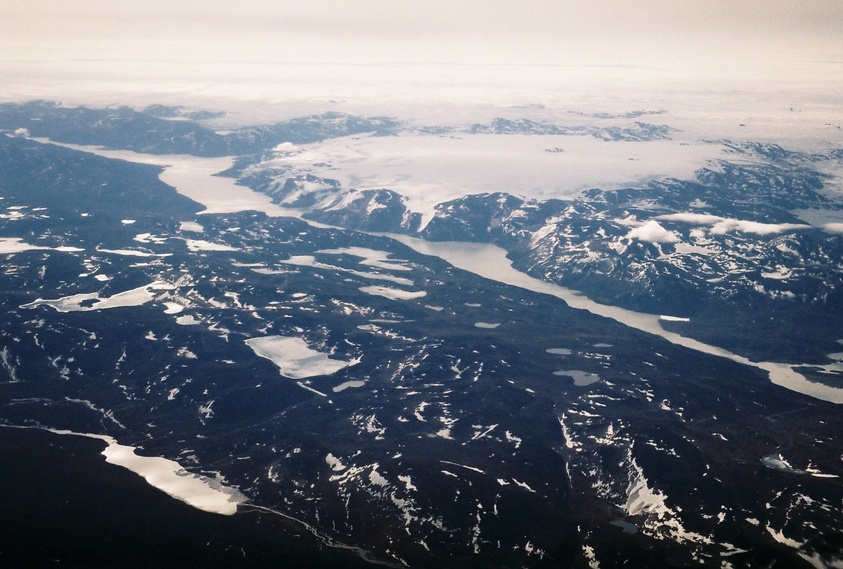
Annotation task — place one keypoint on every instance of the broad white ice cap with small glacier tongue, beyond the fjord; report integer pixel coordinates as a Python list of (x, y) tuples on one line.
[(429, 169)]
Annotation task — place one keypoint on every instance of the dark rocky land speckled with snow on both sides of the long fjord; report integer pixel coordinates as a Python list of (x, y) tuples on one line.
[(474, 424)]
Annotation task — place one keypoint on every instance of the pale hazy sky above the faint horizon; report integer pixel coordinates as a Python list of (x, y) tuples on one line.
[(400, 31)]
